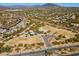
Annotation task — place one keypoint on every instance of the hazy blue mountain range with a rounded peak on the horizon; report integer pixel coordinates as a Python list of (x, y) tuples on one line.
[(27, 6)]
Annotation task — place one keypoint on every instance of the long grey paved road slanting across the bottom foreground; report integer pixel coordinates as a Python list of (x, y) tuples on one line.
[(37, 53)]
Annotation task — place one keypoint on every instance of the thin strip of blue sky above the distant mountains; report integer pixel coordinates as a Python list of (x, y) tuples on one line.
[(62, 4)]
